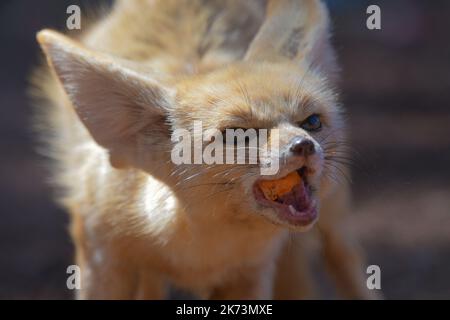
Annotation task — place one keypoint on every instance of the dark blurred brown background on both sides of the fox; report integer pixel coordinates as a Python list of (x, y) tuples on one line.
[(396, 88)]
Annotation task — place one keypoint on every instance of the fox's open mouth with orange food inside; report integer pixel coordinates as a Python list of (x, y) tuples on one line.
[(290, 196)]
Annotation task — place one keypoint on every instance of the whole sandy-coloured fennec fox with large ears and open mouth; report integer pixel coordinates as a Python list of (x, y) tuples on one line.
[(141, 223)]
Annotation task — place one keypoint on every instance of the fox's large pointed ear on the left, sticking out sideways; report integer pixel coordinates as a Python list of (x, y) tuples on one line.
[(115, 103)]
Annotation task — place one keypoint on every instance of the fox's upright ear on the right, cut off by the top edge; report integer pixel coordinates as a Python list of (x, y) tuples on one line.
[(295, 30)]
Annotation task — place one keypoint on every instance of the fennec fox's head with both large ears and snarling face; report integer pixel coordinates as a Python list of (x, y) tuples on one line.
[(282, 83)]
